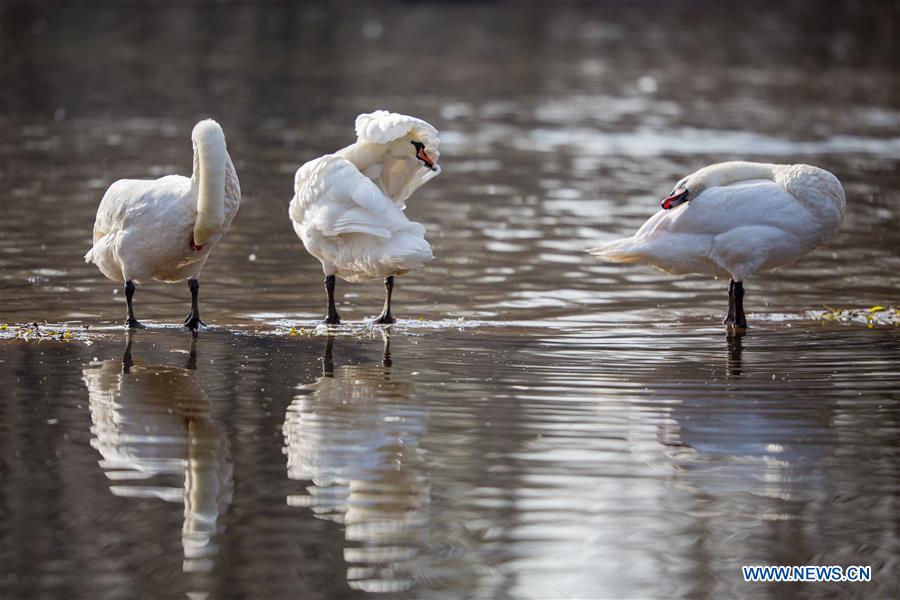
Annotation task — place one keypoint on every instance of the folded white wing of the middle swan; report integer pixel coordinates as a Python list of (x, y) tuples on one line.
[(334, 197)]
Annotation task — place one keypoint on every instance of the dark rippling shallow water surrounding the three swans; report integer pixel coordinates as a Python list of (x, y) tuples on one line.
[(539, 424)]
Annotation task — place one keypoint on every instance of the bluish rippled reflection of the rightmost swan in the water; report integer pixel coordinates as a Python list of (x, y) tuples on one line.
[(746, 442)]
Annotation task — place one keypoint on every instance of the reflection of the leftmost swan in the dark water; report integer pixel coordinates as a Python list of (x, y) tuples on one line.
[(152, 423)]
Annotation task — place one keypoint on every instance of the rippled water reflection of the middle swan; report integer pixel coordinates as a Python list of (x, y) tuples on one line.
[(353, 436)]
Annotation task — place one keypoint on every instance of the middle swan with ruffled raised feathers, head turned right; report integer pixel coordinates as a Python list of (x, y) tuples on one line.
[(348, 206)]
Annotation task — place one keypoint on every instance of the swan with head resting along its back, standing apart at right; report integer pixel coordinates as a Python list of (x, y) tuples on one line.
[(736, 218)]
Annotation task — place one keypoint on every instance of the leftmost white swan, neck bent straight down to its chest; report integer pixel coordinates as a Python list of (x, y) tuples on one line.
[(164, 229)]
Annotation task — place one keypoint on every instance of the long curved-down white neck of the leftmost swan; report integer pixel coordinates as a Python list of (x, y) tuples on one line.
[(210, 158)]
